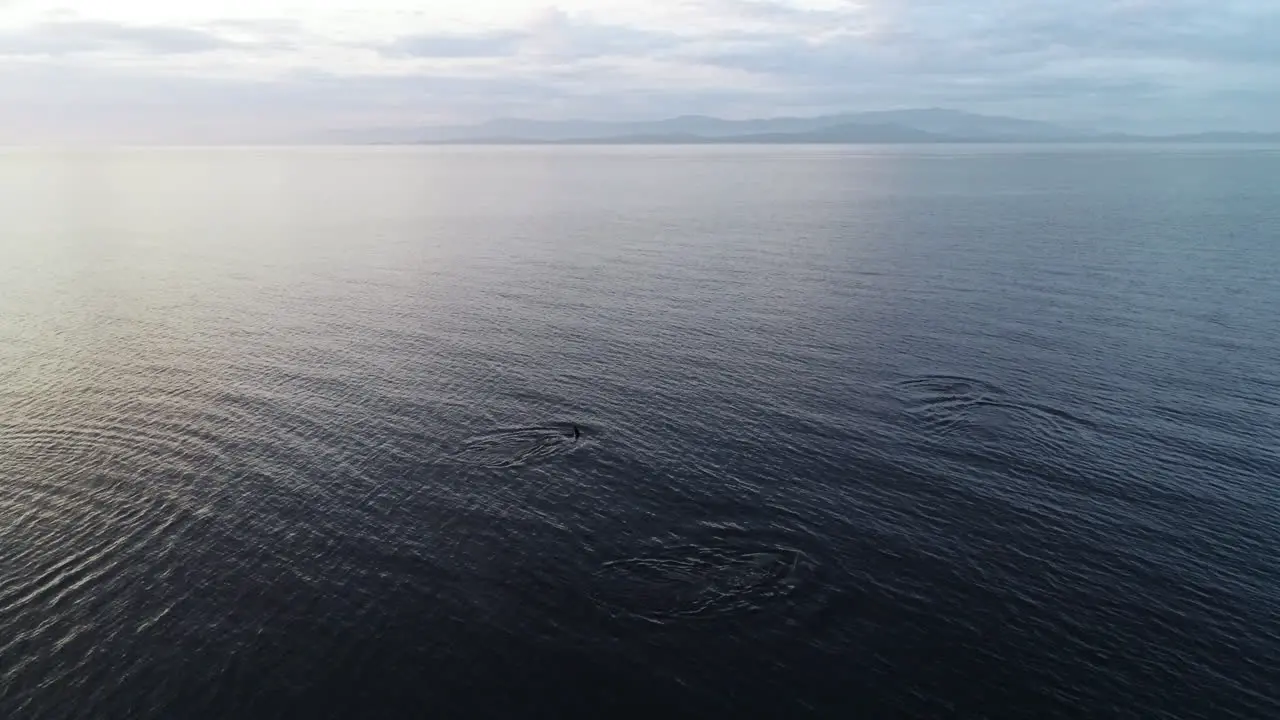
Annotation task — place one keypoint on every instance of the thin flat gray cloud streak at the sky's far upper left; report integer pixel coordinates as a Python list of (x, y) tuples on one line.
[(74, 38)]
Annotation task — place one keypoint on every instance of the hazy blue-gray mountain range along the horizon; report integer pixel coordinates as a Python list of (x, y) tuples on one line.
[(924, 126)]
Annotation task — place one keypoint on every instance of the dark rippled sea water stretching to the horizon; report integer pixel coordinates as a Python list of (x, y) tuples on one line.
[(670, 432)]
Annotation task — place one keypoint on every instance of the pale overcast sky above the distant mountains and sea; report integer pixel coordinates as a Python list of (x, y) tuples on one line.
[(262, 70)]
